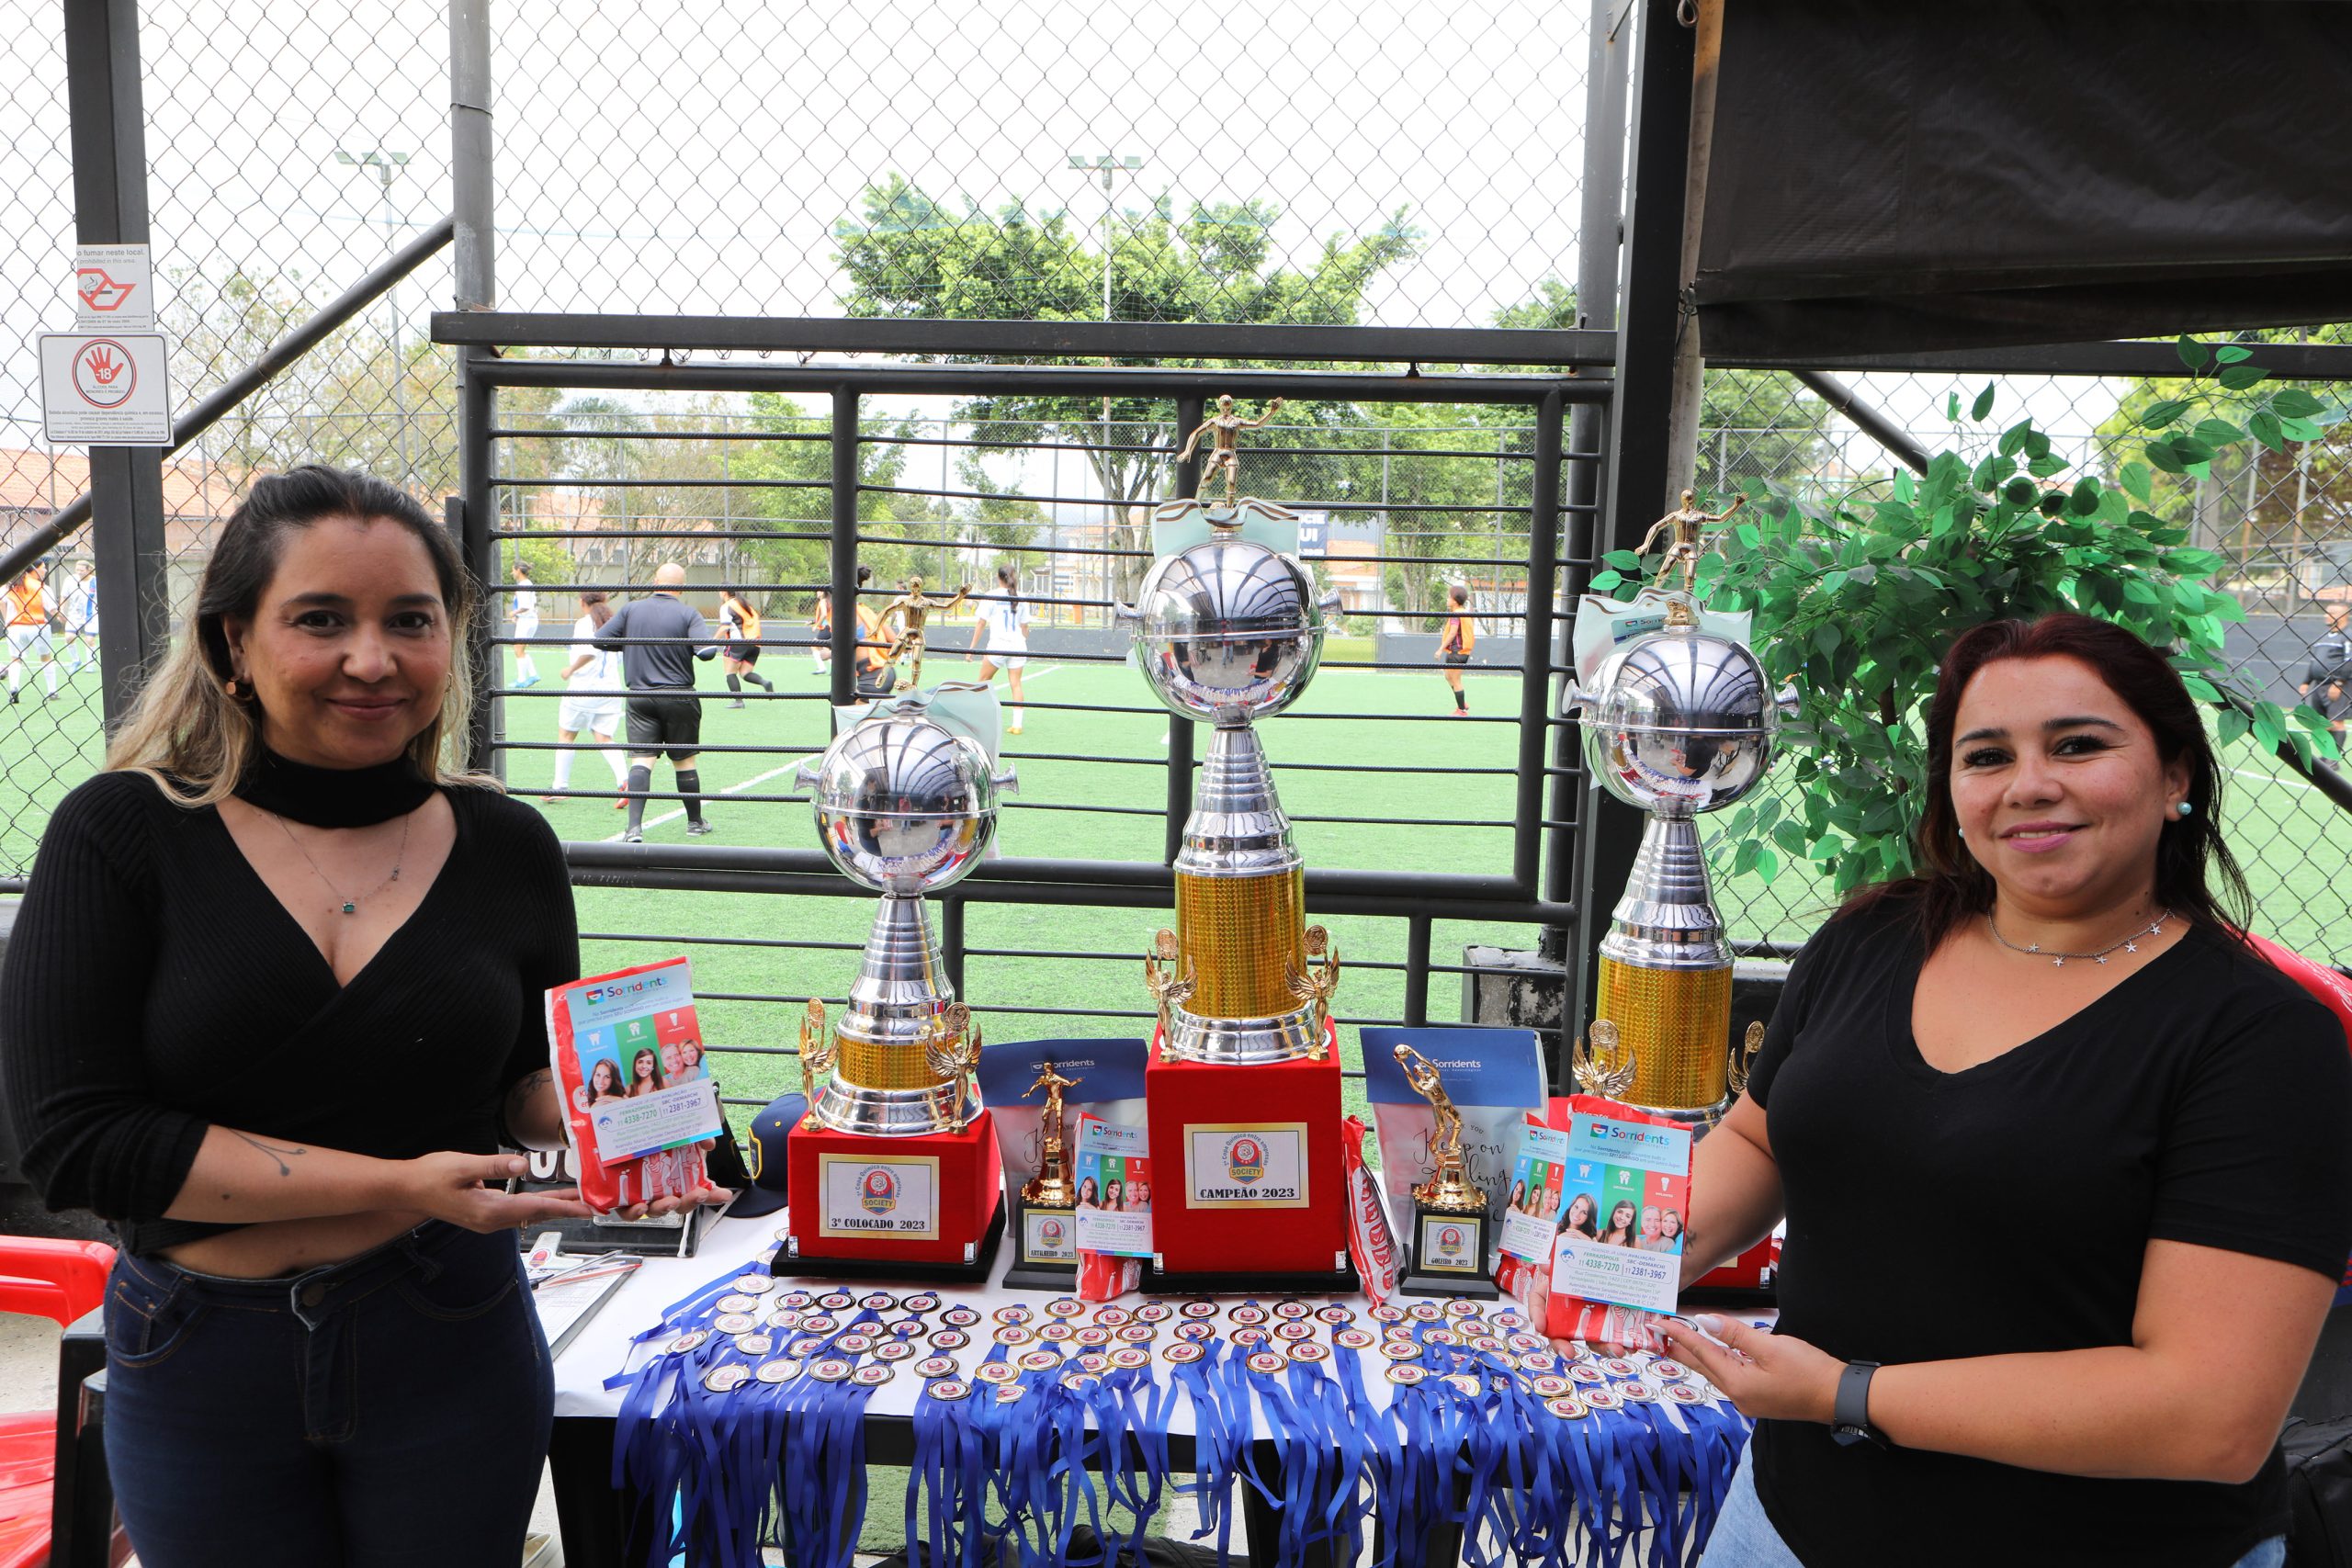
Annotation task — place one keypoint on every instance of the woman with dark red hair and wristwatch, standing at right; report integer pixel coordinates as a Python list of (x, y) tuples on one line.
[(2064, 1162)]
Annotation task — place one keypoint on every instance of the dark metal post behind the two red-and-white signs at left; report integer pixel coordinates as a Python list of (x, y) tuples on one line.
[(112, 208)]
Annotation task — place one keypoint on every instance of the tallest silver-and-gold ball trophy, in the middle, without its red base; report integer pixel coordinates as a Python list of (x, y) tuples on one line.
[(1231, 631)]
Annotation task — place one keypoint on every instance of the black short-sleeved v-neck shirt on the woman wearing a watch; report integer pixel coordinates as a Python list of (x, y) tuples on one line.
[(2007, 1209)]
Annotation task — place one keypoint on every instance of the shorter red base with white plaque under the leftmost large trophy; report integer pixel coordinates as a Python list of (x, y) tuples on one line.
[(923, 1207)]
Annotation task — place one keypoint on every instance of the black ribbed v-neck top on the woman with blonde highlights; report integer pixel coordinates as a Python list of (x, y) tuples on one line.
[(154, 986)]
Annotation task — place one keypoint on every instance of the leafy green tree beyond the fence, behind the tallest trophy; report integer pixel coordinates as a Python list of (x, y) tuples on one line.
[(916, 257)]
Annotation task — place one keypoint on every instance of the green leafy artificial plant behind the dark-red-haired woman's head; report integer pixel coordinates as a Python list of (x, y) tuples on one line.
[(1855, 603)]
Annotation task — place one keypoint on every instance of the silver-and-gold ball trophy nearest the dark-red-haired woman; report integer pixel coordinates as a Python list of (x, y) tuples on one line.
[(1678, 723)]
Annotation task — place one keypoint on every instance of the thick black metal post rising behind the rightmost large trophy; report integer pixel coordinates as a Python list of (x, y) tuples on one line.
[(1636, 481)]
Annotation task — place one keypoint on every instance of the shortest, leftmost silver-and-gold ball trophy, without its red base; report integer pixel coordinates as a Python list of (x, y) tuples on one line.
[(907, 808)]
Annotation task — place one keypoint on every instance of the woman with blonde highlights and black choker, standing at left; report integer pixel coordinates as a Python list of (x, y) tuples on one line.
[(281, 892)]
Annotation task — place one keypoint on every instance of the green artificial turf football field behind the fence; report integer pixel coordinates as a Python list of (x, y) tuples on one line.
[(2294, 845)]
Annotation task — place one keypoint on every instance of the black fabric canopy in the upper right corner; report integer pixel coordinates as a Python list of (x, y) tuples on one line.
[(1918, 177)]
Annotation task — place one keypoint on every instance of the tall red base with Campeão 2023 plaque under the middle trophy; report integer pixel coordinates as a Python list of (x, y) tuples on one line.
[(1248, 1174)]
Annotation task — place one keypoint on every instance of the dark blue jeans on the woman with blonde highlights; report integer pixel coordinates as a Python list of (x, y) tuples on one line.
[(373, 1414)]
